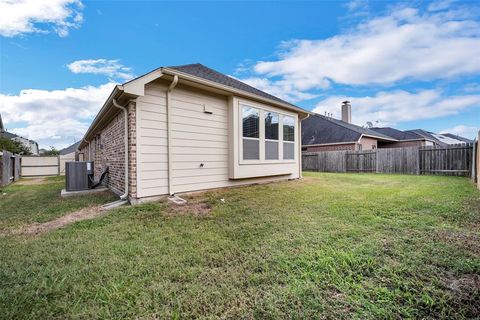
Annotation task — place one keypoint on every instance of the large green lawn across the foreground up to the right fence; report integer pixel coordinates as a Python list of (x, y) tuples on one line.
[(330, 246)]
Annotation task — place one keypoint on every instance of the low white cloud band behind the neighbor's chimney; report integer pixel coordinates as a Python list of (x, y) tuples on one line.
[(389, 108)]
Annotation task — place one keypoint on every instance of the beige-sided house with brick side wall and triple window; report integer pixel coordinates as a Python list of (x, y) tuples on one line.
[(188, 128)]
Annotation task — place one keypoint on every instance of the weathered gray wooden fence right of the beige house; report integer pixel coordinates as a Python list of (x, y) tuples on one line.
[(452, 160)]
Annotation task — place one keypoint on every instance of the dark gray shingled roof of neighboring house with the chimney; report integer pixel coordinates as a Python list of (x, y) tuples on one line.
[(318, 129)]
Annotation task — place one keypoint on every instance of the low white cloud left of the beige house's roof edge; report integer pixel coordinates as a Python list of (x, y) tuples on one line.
[(57, 117)]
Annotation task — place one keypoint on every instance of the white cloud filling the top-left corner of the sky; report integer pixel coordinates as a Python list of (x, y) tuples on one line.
[(19, 17)]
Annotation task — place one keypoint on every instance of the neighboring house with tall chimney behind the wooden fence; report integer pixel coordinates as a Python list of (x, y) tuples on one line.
[(324, 133)]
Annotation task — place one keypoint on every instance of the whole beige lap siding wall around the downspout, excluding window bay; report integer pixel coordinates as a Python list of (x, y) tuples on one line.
[(197, 138)]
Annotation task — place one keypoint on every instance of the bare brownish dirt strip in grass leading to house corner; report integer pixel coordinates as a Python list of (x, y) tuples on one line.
[(38, 228)]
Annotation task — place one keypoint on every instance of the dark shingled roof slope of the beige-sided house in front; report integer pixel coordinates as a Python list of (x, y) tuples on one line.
[(201, 71)]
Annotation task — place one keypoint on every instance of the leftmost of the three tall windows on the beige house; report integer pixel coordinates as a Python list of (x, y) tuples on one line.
[(251, 133)]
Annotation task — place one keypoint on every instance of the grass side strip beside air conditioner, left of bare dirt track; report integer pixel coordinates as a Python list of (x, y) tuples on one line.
[(24, 203)]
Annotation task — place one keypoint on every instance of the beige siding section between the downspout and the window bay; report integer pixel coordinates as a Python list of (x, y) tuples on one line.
[(199, 138)]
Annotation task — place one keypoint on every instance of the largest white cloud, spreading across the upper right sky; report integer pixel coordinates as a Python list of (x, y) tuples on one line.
[(406, 44)]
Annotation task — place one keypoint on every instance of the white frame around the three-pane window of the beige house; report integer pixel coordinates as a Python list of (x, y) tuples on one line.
[(262, 108)]
